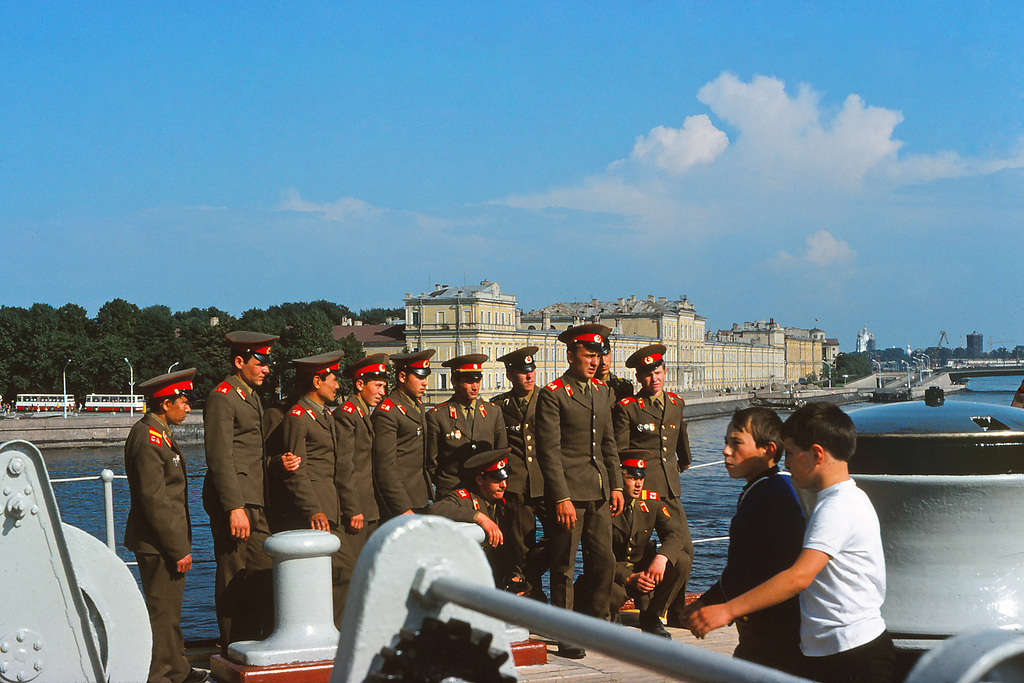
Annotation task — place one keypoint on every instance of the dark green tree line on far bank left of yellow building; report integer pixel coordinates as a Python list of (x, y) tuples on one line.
[(38, 344)]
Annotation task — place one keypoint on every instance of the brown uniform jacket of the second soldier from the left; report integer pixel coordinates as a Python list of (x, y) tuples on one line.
[(235, 457)]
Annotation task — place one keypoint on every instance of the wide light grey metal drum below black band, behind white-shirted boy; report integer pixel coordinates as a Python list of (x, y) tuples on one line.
[(953, 546)]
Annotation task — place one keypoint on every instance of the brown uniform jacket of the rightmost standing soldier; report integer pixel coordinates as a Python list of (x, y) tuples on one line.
[(641, 425)]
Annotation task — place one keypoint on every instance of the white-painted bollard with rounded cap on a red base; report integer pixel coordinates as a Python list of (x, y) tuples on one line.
[(304, 603)]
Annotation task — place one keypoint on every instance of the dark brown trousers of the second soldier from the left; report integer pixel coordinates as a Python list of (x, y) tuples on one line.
[(243, 589)]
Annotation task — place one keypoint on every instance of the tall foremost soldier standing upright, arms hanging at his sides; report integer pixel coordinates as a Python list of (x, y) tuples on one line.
[(582, 484)]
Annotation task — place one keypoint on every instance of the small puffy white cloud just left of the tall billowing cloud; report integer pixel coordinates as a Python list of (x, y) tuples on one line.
[(677, 150)]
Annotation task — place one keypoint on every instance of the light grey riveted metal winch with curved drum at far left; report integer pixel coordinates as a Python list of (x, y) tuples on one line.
[(50, 630)]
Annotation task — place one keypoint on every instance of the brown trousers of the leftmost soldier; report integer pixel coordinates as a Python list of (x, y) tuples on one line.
[(164, 589)]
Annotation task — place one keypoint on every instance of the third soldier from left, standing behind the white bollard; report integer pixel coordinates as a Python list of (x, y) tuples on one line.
[(322, 490)]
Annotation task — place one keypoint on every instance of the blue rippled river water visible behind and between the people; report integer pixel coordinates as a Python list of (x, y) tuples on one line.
[(709, 497)]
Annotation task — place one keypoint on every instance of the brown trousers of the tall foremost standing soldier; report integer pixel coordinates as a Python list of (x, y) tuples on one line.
[(593, 528)]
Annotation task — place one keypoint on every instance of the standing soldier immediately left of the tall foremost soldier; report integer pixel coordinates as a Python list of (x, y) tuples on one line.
[(526, 484)]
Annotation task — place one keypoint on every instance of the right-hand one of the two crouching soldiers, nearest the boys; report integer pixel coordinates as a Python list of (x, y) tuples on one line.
[(642, 566)]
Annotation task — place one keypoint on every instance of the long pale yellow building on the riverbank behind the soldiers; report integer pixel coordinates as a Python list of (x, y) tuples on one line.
[(481, 319)]
